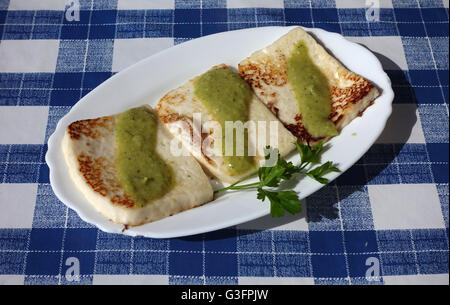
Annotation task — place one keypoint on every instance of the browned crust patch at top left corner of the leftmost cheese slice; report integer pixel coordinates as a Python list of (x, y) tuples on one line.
[(90, 128)]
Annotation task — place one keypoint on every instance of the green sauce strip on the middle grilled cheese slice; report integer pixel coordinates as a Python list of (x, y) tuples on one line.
[(226, 96)]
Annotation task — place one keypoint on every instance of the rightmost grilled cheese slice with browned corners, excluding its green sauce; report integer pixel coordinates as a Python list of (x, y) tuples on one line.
[(266, 71)]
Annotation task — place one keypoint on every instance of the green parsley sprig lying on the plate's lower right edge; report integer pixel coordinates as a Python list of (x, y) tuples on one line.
[(272, 176)]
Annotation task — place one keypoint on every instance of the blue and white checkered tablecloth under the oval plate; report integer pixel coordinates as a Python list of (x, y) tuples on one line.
[(390, 210)]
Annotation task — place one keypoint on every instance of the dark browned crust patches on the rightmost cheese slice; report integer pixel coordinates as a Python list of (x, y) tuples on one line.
[(262, 74)]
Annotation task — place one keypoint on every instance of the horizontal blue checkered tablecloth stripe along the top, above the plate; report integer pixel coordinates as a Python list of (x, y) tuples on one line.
[(191, 19)]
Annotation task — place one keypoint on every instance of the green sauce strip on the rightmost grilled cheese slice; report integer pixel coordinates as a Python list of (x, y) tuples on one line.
[(311, 91)]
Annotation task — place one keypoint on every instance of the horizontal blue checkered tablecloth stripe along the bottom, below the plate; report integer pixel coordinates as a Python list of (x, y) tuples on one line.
[(329, 256)]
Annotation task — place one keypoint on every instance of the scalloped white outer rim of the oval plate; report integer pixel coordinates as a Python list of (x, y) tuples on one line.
[(53, 147)]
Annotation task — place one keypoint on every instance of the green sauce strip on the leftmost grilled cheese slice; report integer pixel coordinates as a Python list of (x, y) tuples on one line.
[(143, 175)]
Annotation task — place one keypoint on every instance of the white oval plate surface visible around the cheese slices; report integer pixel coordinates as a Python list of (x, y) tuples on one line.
[(149, 79)]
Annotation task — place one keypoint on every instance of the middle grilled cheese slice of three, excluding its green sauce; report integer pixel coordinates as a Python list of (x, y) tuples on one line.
[(178, 108)]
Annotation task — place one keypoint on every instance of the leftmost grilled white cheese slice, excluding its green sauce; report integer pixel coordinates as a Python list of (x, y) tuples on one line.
[(90, 152)]
